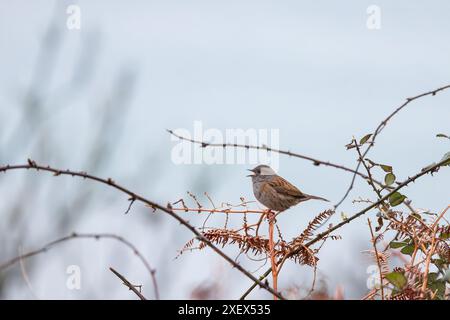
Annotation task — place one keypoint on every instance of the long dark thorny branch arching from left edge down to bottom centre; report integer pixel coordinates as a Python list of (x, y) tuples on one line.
[(33, 166)]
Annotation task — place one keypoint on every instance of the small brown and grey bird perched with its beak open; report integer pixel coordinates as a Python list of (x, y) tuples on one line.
[(275, 192)]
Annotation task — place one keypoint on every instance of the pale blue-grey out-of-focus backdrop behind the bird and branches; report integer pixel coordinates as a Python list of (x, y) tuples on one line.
[(100, 97)]
